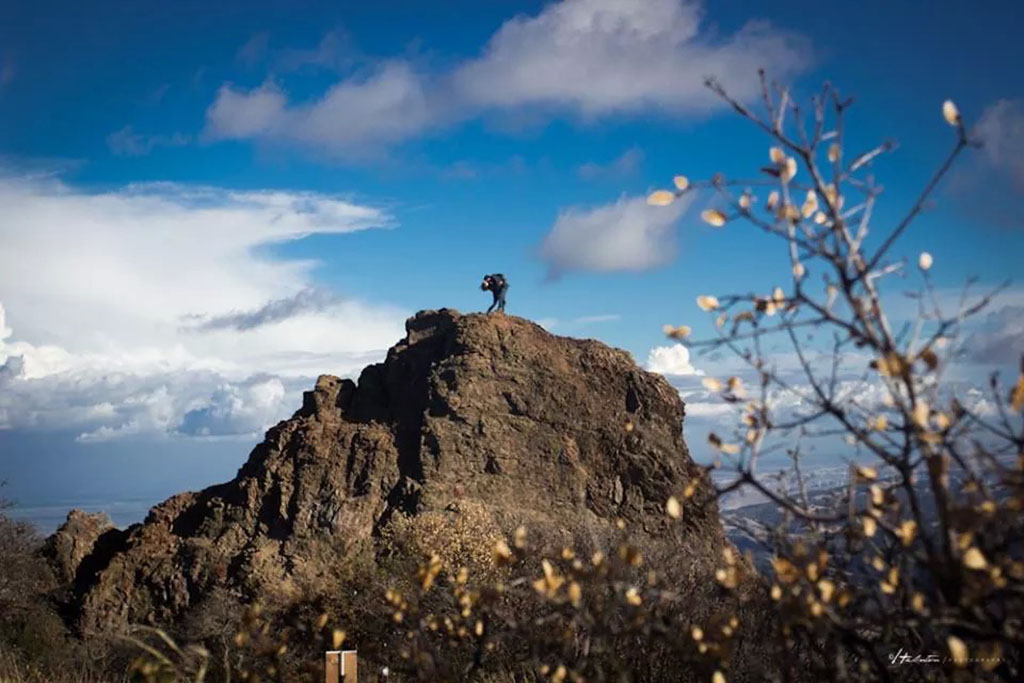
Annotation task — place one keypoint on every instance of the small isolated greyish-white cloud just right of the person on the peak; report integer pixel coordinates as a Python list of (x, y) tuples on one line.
[(629, 235)]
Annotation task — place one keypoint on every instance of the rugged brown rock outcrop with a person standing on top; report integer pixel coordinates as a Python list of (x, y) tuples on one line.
[(493, 412)]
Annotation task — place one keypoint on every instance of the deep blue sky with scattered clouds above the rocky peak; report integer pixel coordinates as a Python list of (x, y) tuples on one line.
[(169, 166)]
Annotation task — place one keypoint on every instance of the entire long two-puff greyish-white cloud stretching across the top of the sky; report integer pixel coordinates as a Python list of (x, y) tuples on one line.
[(585, 58)]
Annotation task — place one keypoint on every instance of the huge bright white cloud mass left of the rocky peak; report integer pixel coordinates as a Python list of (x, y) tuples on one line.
[(100, 289)]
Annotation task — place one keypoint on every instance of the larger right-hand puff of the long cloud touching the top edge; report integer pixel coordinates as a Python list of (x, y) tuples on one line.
[(602, 57)]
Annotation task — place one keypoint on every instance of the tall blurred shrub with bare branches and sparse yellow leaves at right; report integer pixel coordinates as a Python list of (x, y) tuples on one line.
[(922, 556)]
